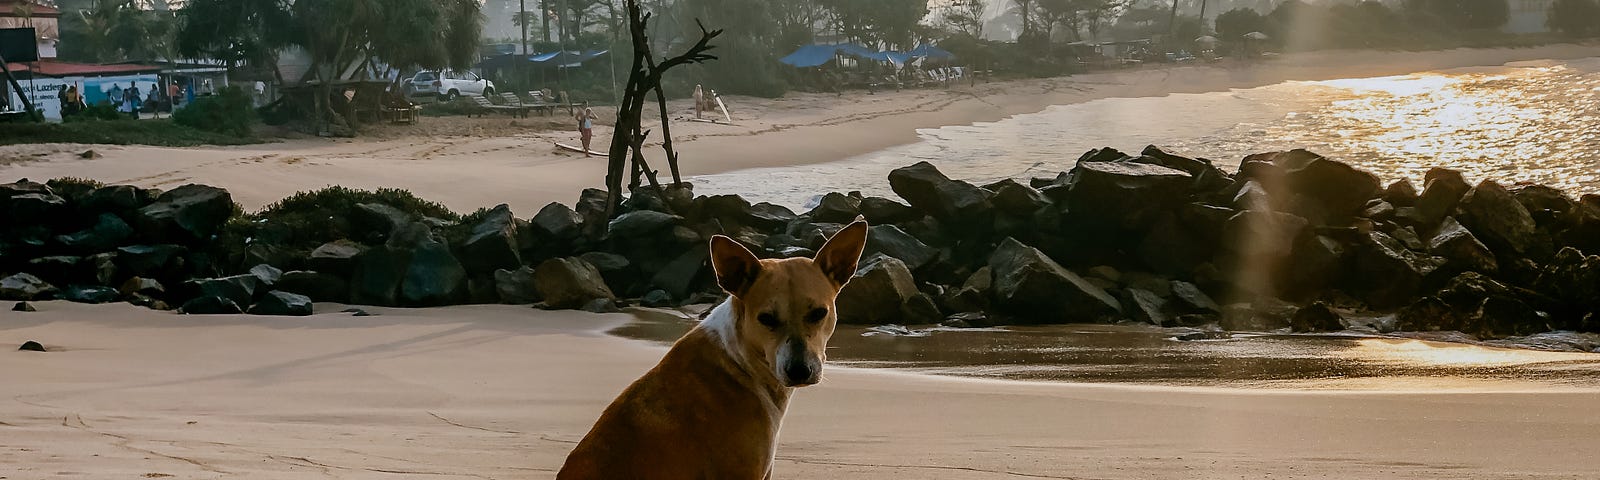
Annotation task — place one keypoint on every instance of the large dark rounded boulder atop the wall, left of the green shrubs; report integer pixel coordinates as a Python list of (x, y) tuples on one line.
[(186, 215)]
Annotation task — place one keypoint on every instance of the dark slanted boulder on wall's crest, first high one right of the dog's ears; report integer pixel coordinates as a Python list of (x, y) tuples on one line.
[(930, 191)]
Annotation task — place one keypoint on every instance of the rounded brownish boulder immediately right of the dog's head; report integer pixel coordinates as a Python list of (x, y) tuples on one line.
[(878, 294)]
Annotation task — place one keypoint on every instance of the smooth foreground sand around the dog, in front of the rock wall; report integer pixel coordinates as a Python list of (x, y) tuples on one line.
[(503, 393)]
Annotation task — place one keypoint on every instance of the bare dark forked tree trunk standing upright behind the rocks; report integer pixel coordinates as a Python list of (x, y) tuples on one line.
[(642, 78)]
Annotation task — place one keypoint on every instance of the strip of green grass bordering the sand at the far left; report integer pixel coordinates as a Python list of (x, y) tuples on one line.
[(162, 134)]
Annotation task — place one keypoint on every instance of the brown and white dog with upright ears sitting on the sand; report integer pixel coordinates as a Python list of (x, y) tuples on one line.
[(714, 404)]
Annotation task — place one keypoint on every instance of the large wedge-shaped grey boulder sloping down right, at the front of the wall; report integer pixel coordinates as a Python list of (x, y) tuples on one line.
[(1038, 290)]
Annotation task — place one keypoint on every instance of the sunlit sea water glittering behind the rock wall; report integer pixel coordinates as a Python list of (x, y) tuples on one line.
[(1524, 122)]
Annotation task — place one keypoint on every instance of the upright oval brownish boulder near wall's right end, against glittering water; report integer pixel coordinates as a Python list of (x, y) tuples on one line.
[(1497, 218)]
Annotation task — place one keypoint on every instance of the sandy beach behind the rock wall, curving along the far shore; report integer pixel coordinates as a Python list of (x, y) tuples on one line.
[(482, 162)]
